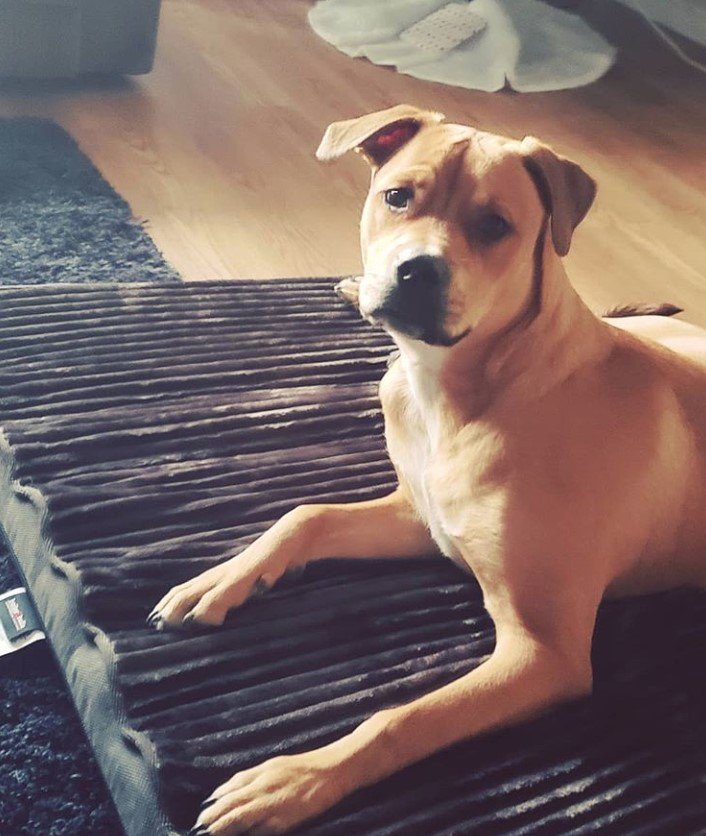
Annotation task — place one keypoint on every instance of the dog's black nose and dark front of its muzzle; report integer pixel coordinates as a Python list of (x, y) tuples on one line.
[(414, 303)]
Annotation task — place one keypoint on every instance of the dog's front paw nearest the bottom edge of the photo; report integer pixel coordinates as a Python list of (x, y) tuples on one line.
[(273, 797)]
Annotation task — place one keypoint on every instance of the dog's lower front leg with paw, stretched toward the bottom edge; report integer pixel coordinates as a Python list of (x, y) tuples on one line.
[(521, 678)]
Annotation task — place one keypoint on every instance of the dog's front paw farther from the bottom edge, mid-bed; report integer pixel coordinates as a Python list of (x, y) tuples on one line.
[(207, 598)]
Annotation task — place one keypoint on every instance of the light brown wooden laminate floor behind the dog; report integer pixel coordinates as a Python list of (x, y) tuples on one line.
[(214, 149)]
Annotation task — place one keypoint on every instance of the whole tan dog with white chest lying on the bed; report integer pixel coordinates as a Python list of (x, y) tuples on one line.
[(559, 457)]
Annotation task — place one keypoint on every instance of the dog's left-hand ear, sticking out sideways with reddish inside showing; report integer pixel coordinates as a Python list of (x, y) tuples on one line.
[(377, 136)]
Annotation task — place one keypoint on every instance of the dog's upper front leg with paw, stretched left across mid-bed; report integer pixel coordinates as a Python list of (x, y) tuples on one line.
[(385, 527)]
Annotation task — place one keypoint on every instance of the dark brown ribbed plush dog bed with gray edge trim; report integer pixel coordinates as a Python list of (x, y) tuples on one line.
[(150, 431)]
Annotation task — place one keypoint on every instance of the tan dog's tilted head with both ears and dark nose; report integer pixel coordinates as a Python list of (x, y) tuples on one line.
[(453, 221)]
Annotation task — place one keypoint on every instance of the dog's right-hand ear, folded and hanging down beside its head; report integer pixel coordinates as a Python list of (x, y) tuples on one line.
[(564, 187)]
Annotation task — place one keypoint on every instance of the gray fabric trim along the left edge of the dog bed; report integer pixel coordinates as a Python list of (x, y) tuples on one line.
[(85, 655)]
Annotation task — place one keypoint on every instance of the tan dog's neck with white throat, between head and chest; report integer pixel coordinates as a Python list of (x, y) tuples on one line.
[(549, 337)]
